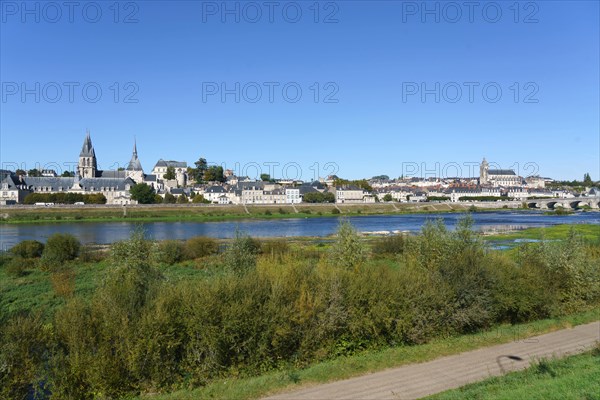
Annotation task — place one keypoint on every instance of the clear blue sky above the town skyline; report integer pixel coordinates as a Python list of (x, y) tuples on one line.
[(374, 57)]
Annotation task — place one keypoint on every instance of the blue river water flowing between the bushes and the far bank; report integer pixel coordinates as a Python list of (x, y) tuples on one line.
[(108, 232)]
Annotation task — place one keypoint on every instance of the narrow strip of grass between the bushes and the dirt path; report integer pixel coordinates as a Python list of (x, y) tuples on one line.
[(372, 361)]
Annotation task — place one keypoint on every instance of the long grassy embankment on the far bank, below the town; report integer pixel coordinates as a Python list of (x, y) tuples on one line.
[(211, 213)]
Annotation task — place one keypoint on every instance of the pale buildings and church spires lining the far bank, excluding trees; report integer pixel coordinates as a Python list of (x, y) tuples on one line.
[(115, 185)]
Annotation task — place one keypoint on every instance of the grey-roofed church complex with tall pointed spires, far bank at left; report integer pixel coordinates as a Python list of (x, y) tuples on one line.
[(88, 179)]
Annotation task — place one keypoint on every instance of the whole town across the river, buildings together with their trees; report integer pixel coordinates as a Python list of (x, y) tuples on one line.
[(175, 182)]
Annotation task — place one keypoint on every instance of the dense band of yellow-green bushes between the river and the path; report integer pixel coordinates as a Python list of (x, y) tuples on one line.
[(141, 333)]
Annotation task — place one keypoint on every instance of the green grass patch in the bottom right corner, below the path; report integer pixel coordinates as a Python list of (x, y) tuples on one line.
[(575, 377)]
